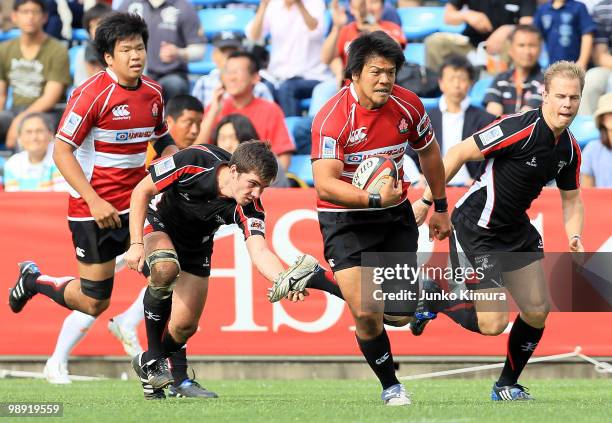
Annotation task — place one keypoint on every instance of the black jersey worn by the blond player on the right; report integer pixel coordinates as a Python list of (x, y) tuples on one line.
[(521, 157)]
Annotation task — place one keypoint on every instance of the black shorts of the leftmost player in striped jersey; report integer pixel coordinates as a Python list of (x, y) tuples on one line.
[(95, 245)]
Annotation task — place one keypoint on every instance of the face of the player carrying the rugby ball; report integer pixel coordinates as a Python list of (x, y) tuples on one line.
[(375, 82)]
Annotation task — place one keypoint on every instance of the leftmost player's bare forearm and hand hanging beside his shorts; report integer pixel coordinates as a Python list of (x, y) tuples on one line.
[(105, 215)]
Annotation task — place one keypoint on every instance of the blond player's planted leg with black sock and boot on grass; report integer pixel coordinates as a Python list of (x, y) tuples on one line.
[(528, 288)]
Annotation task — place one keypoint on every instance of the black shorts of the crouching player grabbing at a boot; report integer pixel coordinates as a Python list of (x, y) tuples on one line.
[(193, 249)]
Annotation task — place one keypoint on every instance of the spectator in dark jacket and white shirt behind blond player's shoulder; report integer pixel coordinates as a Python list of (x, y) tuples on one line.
[(454, 119)]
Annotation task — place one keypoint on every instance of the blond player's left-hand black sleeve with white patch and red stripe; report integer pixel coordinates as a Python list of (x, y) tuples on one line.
[(503, 137)]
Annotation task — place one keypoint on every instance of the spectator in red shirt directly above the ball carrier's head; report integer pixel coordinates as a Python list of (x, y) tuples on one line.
[(368, 18)]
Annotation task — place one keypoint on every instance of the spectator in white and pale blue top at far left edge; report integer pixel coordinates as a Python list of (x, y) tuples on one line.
[(33, 168)]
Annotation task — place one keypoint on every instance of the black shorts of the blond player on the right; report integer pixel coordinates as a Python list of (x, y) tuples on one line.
[(492, 252)]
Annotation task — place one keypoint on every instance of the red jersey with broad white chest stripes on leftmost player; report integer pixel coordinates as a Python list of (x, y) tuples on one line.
[(110, 127)]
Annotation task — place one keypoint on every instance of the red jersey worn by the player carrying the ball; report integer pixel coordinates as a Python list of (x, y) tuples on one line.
[(346, 131)]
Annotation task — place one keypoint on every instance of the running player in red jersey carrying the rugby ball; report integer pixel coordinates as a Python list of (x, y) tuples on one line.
[(373, 116)]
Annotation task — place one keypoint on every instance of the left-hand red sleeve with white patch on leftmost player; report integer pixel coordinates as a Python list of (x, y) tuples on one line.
[(81, 114)]
